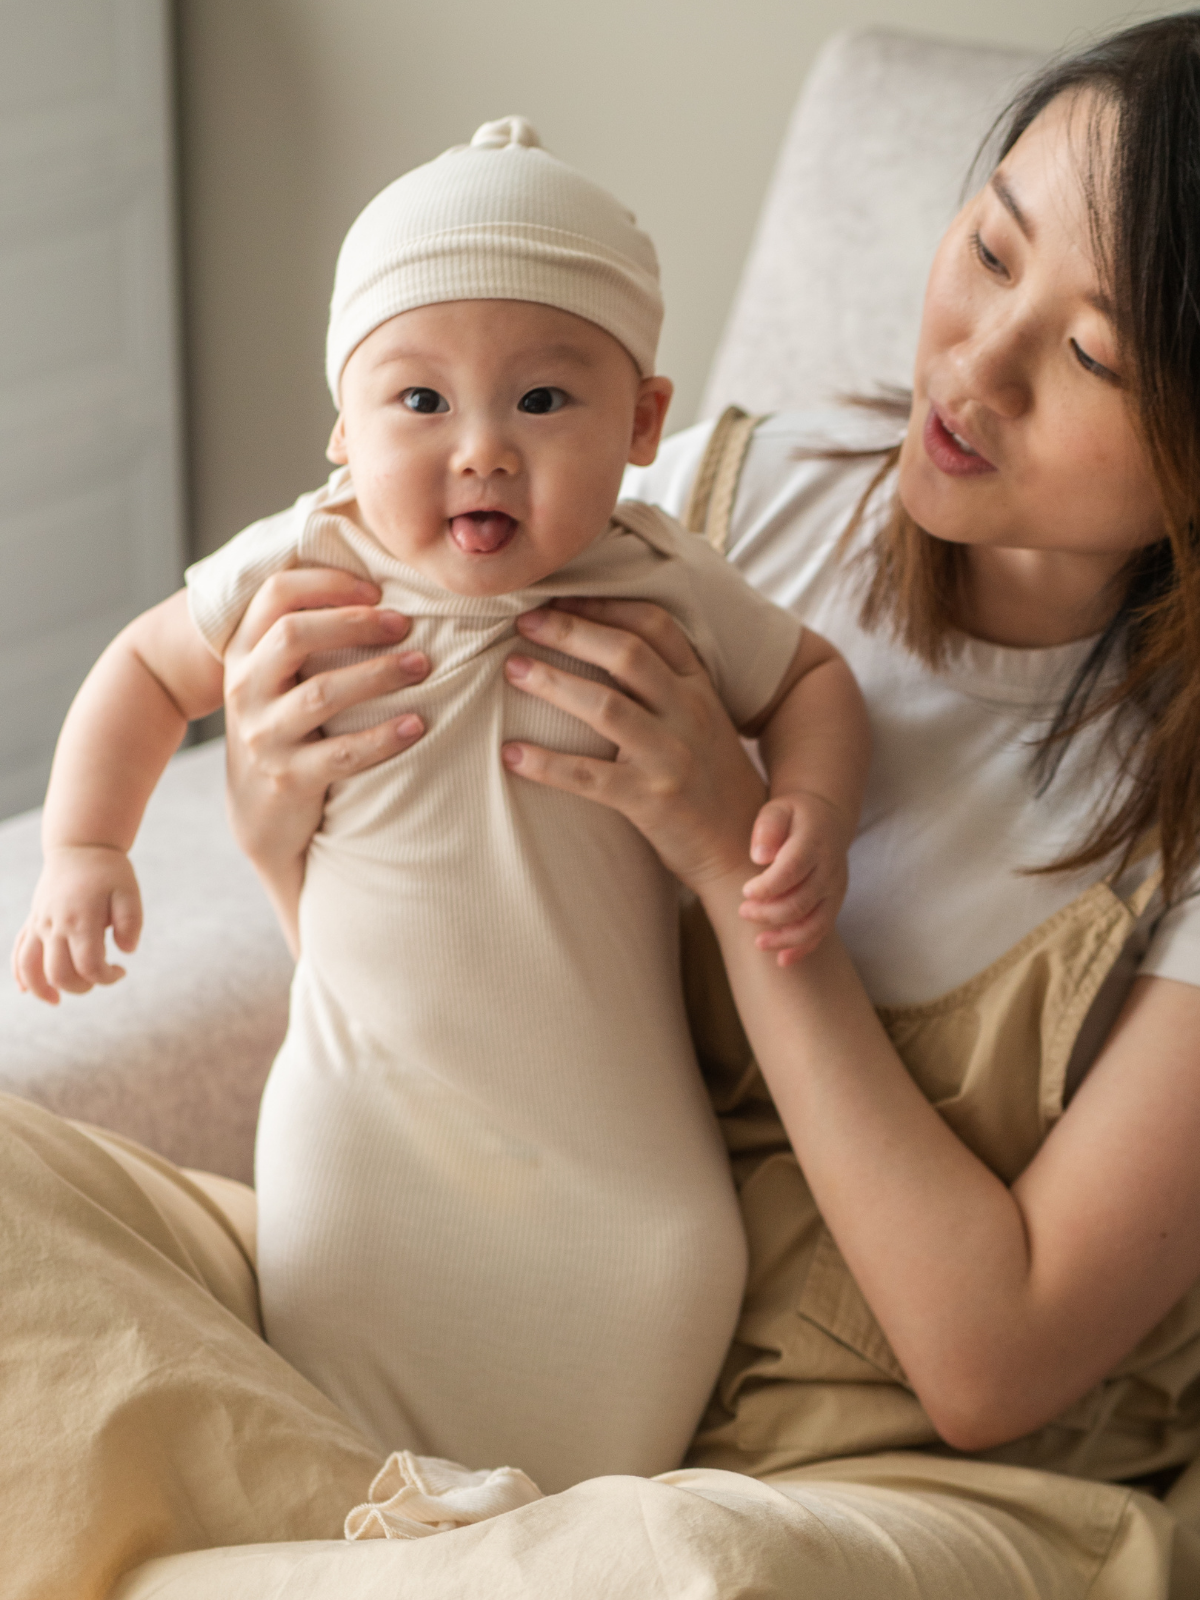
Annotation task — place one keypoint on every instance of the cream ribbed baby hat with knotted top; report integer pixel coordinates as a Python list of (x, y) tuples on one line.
[(498, 218)]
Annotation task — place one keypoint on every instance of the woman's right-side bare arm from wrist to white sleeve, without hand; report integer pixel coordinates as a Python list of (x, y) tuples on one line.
[(1004, 1305)]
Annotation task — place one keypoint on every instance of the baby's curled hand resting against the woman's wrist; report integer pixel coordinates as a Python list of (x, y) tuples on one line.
[(802, 841)]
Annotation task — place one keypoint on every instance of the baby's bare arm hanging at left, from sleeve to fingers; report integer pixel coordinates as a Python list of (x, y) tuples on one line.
[(122, 729)]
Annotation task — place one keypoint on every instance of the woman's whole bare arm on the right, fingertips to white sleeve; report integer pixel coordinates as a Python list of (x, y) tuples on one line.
[(1002, 1303)]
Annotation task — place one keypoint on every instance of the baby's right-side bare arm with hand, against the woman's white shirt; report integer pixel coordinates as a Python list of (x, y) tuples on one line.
[(817, 745)]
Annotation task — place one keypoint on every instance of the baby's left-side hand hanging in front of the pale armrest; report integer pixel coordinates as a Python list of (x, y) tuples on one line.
[(82, 892)]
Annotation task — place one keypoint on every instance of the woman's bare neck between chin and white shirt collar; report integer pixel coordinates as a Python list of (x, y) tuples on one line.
[(1038, 599)]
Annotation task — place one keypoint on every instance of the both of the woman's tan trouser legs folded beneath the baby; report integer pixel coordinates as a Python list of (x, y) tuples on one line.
[(154, 1449)]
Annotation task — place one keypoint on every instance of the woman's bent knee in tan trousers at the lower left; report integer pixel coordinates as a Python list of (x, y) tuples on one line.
[(140, 1410)]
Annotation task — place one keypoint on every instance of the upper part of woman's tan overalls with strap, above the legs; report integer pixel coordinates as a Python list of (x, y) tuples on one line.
[(812, 1375)]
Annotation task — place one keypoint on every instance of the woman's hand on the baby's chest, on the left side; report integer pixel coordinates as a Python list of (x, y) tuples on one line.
[(279, 764)]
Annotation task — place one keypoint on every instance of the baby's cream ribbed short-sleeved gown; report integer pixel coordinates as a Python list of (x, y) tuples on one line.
[(495, 1217)]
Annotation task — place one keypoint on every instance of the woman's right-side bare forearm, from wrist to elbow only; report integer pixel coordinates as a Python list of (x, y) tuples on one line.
[(935, 1241)]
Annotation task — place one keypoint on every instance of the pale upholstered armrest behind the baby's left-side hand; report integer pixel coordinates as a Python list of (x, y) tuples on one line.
[(175, 1055)]
